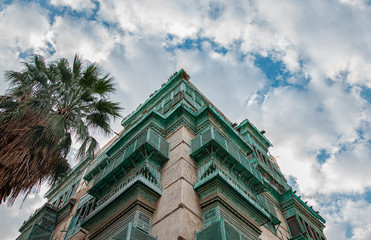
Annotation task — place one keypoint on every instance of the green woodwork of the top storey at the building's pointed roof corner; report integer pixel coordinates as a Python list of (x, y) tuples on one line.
[(182, 94)]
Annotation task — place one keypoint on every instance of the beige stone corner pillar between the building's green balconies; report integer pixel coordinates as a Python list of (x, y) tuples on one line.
[(178, 214)]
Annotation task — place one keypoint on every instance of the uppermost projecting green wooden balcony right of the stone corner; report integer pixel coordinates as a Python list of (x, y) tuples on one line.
[(228, 151)]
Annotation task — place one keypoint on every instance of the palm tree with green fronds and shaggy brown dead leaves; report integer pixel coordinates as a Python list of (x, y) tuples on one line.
[(44, 108)]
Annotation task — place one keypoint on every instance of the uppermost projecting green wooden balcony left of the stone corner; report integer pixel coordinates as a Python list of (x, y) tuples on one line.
[(147, 145)]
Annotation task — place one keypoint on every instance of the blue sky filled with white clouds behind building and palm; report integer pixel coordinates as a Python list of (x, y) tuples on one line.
[(300, 70)]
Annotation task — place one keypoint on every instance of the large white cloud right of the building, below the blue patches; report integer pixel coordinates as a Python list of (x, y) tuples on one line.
[(301, 122)]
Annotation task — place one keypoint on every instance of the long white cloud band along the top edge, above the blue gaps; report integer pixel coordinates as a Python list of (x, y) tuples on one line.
[(320, 33)]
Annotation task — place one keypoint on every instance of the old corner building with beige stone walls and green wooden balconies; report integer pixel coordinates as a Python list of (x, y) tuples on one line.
[(179, 170)]
